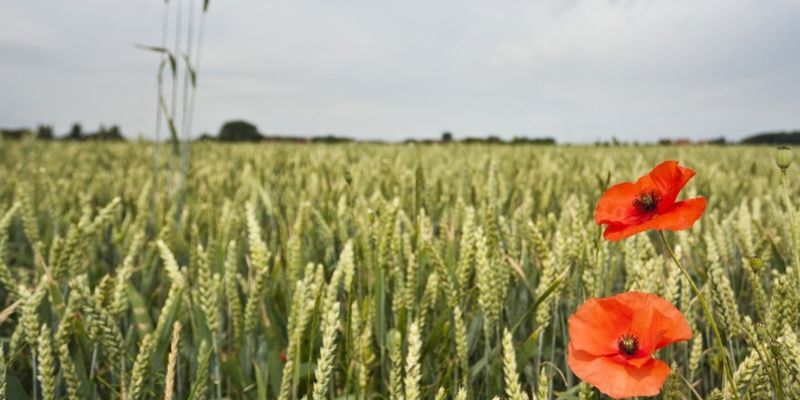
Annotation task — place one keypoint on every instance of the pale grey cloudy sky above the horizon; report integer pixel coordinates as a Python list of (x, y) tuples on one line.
[(575, 70)]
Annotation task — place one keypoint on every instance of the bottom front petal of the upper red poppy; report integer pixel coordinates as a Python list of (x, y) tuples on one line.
[(682, 215)]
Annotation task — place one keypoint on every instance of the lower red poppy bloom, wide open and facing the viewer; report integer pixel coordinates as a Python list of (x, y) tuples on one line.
[(612, 341)]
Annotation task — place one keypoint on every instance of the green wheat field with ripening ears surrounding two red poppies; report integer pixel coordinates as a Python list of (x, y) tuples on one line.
[(364, 271)]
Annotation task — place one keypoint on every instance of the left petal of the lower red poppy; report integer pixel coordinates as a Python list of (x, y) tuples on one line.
[(597, 325)]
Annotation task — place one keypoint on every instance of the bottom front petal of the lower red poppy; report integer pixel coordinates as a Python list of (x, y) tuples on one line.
[(615, 379)]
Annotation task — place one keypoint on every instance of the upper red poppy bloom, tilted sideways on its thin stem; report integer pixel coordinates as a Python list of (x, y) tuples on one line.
[(629, 208)]
